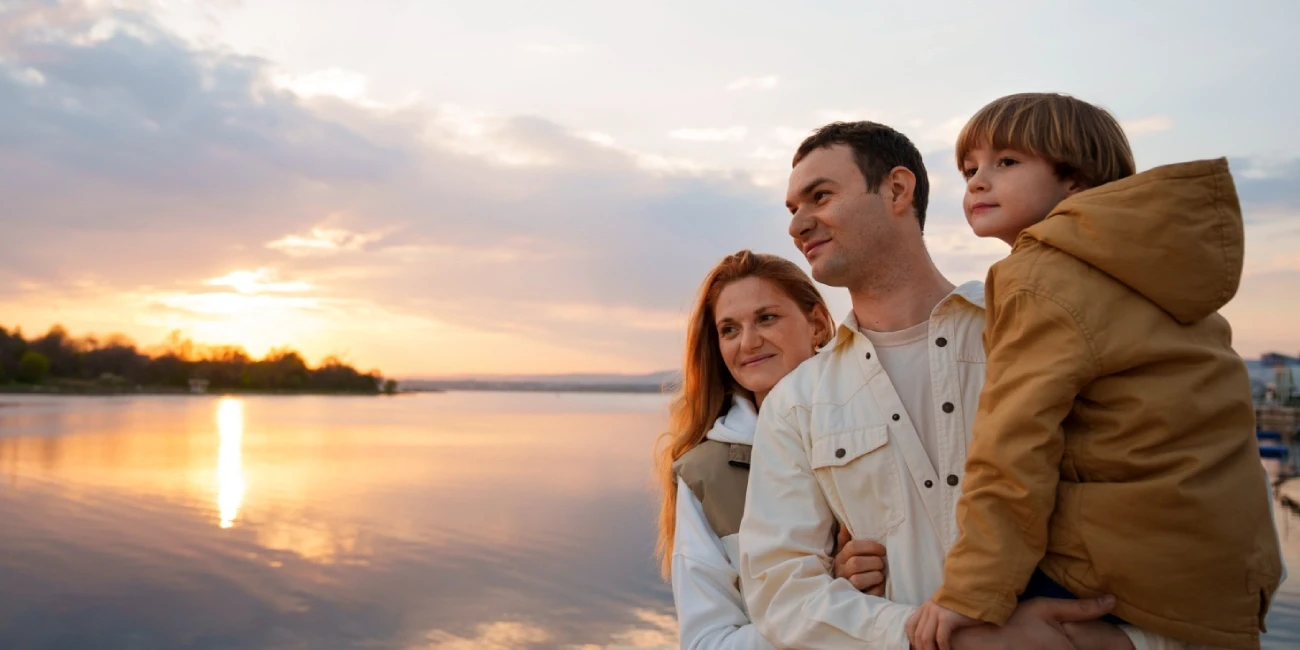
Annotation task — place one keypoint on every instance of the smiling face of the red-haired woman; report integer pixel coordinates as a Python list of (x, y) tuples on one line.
[(762, 333)]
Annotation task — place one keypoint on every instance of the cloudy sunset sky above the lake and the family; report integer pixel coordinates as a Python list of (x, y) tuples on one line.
[(441, 189)]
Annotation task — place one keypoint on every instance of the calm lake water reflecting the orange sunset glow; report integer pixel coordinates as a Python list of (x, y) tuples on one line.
[(435, 522)]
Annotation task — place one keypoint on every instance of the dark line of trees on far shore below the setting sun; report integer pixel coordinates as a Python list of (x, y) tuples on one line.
[(114, 362)]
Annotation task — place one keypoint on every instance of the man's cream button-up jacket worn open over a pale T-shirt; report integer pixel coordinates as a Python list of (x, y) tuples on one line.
[(834, 443)]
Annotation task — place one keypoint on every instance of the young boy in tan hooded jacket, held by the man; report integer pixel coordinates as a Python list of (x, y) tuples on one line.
[(1113, 452)]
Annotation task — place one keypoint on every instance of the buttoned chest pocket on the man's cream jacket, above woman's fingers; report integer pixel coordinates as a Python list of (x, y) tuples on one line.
[(857, 469)]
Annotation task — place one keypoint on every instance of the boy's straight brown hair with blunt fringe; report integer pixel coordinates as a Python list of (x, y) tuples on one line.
[(1082, 141)]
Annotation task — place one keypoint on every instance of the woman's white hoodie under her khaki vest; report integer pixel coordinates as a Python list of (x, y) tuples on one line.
[(712, 613)]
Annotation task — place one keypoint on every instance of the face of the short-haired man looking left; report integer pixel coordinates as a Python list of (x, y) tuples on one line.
[(835, 222)]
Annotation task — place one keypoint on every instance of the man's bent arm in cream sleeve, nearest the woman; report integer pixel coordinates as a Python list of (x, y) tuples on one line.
[(786, 538)]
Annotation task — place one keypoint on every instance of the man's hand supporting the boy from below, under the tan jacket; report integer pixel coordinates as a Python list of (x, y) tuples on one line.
[(1042, 625)]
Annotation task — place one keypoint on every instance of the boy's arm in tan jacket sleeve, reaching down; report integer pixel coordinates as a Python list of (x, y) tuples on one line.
[(1039, 359)]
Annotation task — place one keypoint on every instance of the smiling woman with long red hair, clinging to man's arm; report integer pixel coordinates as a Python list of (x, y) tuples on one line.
[(756, 319)]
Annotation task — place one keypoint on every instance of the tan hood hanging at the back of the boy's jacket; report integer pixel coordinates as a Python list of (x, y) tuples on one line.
[(1173, 235)]
